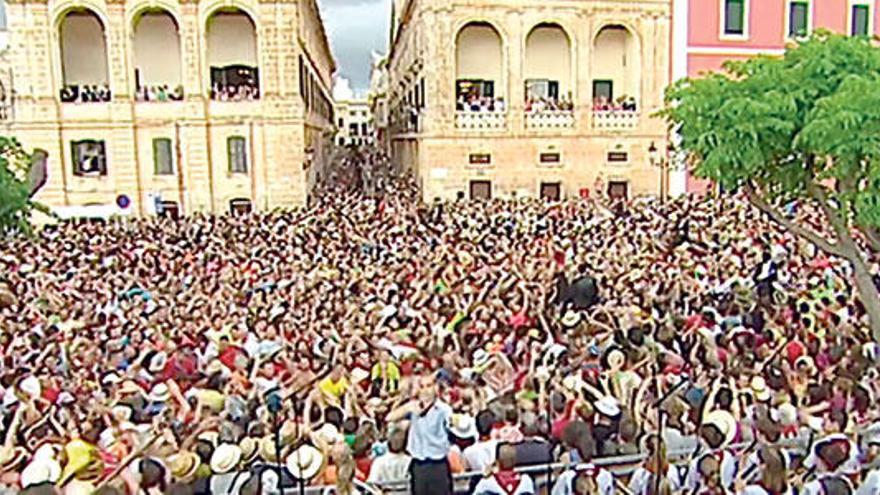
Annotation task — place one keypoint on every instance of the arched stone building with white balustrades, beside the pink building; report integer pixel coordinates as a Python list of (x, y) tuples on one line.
[(552, 98)]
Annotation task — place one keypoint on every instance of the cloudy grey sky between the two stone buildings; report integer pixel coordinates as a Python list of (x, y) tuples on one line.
[(356, 28)]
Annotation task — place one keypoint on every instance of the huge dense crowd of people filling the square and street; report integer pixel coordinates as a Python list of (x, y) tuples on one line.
[(373, 338)]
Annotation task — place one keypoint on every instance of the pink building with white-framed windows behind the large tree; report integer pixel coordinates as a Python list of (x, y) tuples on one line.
[(708, 32)]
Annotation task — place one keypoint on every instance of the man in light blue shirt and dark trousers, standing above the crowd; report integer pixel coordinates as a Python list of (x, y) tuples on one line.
[(427, 440)]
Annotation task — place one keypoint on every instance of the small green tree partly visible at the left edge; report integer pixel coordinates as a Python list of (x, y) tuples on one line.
[(16, 205)]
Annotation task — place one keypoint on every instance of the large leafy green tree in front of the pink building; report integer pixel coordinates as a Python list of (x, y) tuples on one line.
[(805, 126)]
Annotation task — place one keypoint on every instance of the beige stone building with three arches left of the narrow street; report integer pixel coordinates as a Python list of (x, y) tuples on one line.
[(177, 105)]
